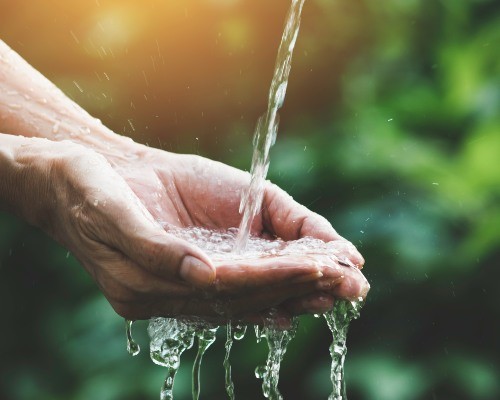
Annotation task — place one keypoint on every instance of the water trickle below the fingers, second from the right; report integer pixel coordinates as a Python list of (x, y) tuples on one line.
[(277, 342)]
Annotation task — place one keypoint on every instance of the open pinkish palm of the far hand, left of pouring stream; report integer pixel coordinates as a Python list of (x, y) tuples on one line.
[(188, 190)]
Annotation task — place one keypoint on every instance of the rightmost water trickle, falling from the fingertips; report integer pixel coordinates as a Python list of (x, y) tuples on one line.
[(338, 321)]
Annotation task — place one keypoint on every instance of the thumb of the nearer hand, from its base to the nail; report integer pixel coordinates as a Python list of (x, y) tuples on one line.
[(112, 214)]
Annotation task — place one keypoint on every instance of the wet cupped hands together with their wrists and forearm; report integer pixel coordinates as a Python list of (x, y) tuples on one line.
[(108, 199)]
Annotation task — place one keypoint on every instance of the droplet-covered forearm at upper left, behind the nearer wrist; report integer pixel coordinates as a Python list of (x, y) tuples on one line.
[(31, 105)]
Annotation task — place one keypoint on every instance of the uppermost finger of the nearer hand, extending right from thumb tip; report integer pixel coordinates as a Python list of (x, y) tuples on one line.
[(259, 272)]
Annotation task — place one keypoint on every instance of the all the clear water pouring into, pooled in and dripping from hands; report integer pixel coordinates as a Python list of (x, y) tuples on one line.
[(169, 338)]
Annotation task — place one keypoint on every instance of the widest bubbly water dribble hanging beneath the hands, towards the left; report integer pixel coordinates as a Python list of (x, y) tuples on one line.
[(169, 338)]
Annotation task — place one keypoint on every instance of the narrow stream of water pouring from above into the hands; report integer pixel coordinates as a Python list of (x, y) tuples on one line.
[(267, 125)]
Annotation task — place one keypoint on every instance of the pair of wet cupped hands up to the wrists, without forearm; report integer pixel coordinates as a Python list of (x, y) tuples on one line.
[(105, 210)]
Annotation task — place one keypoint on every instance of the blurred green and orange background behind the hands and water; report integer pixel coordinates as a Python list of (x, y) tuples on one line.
[(390, 129)]
